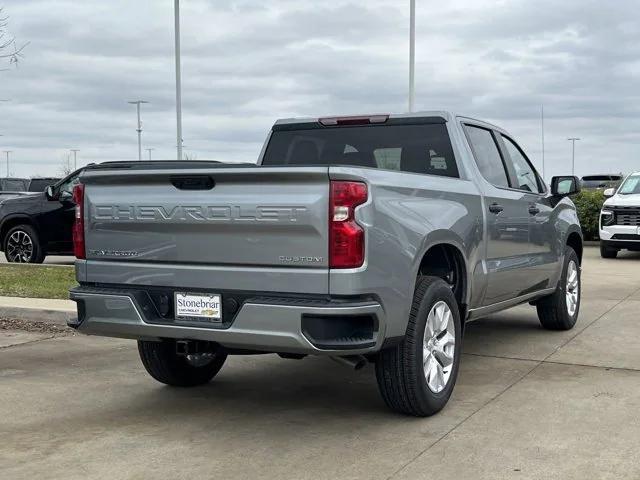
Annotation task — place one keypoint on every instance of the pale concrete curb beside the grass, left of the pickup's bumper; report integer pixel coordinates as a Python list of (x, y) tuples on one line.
[(38, 309)]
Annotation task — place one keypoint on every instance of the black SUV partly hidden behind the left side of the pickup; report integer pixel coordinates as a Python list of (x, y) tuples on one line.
[(36, 225)]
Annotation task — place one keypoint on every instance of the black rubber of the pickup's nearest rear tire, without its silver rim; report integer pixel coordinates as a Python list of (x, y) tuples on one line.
[(399, 369)]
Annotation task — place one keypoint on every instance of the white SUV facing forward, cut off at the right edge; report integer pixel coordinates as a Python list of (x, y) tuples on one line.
[(620, 218)]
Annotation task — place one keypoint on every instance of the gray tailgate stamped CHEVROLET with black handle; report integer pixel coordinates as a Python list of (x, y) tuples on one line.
[(230, 227)]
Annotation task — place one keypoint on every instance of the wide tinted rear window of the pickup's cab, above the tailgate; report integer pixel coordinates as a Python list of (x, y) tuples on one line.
[(424, 149)]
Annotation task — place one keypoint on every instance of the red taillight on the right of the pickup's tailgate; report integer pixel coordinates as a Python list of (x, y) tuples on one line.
[(346, 237)]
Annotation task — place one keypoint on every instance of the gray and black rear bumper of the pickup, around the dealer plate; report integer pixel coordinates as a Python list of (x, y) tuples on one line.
[(283, 325)]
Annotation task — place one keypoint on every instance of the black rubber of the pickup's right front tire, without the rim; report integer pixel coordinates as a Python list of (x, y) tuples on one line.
[(553, 311)]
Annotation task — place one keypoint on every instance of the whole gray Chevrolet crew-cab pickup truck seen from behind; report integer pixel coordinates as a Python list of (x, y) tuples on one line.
[(365, 239)]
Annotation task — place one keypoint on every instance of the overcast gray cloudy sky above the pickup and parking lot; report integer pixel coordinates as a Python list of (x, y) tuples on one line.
[(248, 62)]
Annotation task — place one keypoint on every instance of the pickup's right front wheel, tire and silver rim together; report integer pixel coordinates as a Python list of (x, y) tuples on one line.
[(560, 310)]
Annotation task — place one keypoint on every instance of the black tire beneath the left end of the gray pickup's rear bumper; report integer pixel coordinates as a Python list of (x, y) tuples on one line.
[(163, 363)]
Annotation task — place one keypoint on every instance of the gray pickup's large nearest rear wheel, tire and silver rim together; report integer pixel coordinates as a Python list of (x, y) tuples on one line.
[(417, 376)]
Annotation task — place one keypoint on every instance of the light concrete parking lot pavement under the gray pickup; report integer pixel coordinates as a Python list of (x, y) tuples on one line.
[(528, 404)]
